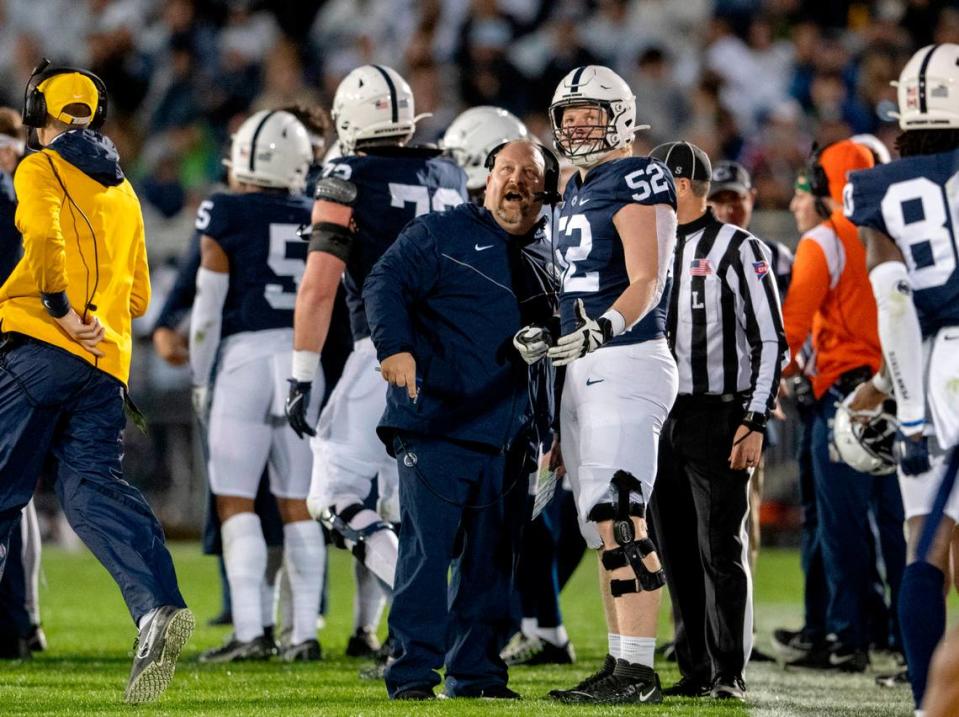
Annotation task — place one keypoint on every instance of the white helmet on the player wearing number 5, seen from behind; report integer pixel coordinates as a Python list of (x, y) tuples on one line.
[(272, 149)]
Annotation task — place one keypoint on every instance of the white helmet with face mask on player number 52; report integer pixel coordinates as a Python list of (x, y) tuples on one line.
[(594, 85)]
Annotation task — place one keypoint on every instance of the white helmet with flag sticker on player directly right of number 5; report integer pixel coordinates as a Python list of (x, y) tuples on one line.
[(373, 105)]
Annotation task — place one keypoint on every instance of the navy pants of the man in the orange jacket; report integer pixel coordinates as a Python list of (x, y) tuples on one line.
[(860, 524)]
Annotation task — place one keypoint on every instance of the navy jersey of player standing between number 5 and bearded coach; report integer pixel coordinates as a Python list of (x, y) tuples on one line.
[(394, 186)]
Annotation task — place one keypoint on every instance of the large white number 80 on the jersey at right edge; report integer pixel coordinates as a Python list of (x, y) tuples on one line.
[(916, 212)]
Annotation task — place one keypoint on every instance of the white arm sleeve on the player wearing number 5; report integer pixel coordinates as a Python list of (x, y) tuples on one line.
[(207, 318)]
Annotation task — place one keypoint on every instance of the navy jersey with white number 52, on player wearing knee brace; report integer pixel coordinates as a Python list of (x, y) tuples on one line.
[(591, 247)]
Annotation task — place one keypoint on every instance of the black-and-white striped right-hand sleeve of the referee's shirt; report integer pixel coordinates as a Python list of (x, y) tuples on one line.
[(762, 317)]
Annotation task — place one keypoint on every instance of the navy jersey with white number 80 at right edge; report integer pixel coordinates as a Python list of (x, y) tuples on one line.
[(915, 201)]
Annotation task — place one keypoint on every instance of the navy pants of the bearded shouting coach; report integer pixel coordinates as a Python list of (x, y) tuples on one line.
[(461, 619)]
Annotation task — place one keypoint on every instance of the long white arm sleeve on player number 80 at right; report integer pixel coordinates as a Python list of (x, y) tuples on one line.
[(900, 336)]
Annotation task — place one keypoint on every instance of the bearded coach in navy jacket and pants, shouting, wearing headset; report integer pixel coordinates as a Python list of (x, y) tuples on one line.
[(444, 303)]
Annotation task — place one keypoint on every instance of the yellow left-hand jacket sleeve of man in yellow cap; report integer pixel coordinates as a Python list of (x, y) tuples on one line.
[(40, 199)]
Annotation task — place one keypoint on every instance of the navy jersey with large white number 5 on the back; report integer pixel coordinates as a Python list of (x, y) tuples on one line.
[(267, 258)]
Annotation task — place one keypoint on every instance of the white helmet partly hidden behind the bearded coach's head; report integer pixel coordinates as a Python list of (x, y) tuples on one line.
[(474, 134)]
